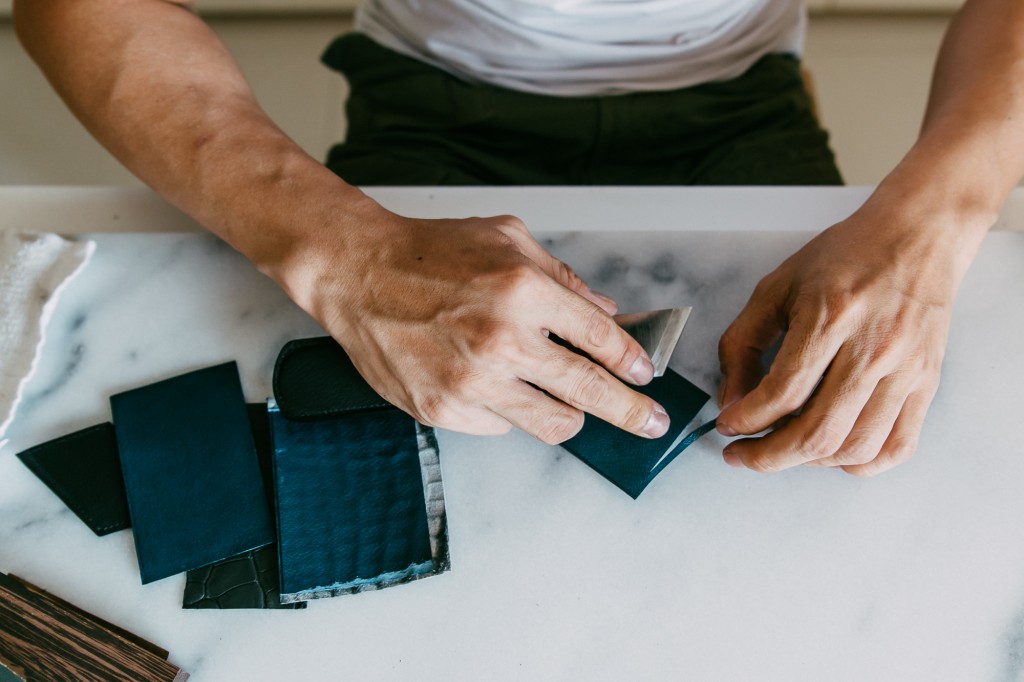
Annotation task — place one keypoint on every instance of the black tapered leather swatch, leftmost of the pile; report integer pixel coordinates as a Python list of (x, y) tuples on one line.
[(84, 471)]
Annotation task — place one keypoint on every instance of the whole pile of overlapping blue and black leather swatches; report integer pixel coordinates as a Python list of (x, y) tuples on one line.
[(198, 476)]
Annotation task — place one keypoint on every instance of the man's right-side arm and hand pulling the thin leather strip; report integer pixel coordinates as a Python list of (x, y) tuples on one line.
[(866, 307)]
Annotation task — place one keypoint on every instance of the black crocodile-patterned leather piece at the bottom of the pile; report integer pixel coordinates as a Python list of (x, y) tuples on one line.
[(246, 581)]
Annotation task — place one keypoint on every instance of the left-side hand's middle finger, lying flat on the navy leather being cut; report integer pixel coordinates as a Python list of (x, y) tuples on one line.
[(588, 388)]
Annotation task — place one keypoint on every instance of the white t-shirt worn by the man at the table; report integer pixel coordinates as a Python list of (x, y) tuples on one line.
[(584, 48)]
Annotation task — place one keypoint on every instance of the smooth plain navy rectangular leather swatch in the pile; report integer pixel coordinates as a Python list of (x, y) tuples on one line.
[(191, 473)]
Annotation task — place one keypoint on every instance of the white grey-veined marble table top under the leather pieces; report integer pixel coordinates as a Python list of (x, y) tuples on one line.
[(713, 574)]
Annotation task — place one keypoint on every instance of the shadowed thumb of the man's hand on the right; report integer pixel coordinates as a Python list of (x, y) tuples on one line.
[(758, 327)]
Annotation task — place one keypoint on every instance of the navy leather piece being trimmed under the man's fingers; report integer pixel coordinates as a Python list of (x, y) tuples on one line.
[(631, 462)]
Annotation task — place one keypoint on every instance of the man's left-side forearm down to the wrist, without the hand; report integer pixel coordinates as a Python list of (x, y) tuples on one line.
[(154, 84)]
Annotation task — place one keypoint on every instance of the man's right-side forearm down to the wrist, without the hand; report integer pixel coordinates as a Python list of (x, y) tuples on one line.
[(971, 150)]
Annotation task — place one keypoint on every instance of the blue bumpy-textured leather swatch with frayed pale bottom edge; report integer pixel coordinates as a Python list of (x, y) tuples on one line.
[(352, 511)]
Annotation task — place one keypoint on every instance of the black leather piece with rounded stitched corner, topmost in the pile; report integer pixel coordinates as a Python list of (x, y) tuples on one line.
[(315, 379)]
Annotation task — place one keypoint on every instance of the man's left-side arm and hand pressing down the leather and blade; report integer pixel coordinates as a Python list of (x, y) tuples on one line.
[(446, 319)]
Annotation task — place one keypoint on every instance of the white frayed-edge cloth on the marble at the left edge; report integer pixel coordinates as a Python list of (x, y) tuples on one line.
[(34, 270)]
